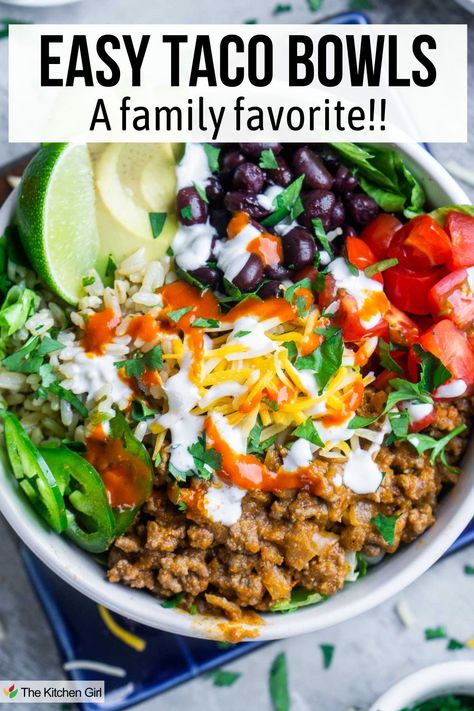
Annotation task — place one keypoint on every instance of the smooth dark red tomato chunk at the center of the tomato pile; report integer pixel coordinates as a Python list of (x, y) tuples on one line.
[(408, 290)]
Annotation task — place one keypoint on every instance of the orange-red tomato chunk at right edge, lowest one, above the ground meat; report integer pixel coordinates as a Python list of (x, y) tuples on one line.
[(451, 346)]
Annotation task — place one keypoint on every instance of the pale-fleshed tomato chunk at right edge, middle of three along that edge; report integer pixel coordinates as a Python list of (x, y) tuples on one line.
[(453, 297)]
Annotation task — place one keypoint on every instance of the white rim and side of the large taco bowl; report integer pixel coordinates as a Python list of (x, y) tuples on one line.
[(392, 575)]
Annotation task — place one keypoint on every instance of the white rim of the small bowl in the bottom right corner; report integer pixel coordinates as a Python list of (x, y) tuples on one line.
[(428, 683)]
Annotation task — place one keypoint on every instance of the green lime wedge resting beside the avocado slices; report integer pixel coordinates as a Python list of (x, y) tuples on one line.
[(57, 219)]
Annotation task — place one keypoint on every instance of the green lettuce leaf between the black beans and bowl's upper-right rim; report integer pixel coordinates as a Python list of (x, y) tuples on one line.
[(384, 176)]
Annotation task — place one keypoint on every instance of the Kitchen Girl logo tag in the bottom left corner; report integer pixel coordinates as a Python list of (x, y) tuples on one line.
[(47, 691)]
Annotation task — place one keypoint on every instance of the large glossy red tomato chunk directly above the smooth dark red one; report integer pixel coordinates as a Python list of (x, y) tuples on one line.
[(421, 245)]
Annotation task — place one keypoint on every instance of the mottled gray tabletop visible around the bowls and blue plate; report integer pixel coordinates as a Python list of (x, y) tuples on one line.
[(372, 651)]
